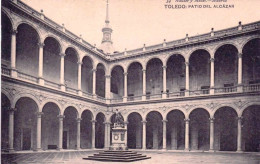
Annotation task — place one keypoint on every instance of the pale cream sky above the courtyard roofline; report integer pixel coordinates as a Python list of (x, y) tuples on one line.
[(138, 22)]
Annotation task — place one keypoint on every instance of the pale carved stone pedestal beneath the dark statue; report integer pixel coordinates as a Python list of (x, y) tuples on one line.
[(118, 139)]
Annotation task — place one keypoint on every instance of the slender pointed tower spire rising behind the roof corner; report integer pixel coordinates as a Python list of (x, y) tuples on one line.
[(107, 44)]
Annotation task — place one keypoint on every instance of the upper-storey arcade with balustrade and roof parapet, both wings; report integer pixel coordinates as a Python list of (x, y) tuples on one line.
[(218, 62)]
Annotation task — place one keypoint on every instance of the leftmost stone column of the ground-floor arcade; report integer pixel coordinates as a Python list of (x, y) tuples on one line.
[(11, 129)]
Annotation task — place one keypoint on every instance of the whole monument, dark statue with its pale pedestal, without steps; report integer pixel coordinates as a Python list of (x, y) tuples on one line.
[(118, 133)]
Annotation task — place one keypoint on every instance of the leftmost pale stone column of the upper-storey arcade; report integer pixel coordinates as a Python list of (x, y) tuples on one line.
[(13, 54)]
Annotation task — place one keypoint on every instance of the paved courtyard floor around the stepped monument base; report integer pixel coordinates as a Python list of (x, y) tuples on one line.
[(158, 157)]
